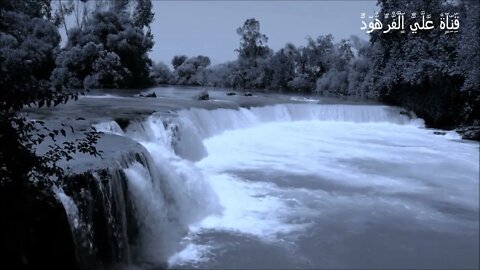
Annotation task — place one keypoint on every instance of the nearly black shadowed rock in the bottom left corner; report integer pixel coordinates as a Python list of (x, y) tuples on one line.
[(35, 230)]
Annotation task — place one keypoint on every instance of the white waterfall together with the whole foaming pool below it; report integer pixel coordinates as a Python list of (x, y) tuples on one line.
[(302, 186)]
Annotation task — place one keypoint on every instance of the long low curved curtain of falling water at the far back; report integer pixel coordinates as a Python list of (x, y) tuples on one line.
[(207, 123)]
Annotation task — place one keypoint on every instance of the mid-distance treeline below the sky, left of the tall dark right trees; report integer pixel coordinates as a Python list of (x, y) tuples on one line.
[(321, 66)]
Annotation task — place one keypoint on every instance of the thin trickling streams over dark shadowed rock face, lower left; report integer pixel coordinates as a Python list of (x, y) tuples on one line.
[(101, 214)]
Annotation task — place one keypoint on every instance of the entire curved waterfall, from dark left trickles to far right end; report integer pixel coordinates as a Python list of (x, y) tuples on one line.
[(164, 192)]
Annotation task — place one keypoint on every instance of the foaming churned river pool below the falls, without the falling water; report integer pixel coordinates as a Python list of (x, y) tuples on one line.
[(338, 194)]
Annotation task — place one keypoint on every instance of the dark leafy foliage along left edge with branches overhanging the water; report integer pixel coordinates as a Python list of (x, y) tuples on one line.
[(28, 48)]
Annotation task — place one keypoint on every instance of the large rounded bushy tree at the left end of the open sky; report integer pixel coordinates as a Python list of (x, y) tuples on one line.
[(109, 51)]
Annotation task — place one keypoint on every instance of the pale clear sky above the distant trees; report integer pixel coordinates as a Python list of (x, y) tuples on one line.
[(209, 27)]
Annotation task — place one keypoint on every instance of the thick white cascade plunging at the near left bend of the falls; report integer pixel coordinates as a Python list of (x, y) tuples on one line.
[(170, 192)]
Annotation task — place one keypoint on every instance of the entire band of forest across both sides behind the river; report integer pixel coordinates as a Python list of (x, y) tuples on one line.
[(432, 73)]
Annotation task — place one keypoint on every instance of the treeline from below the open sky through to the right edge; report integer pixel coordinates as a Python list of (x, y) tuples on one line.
[(432, 73)]
